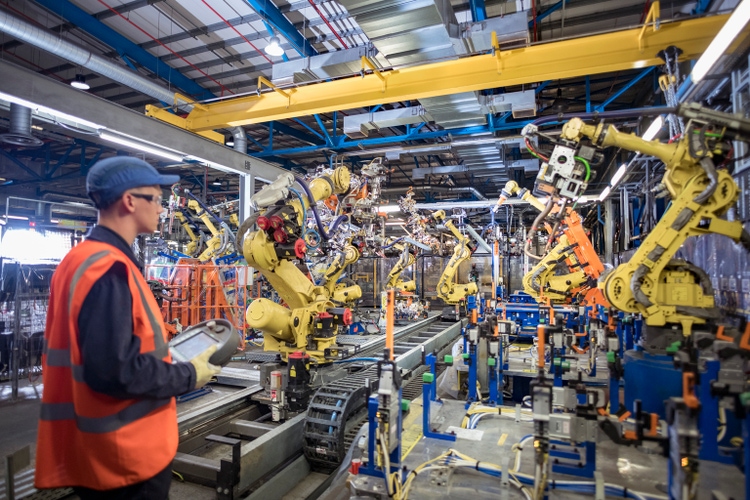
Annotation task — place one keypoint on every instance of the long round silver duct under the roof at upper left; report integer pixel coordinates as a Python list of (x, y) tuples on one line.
[(54, 44)]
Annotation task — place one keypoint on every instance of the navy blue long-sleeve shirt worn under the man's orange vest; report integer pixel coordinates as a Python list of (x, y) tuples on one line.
[(112, 363)]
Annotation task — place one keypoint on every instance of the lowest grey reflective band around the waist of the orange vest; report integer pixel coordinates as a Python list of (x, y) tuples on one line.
[(136, 411)]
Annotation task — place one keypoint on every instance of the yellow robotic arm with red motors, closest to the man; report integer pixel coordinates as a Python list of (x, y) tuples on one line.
[(306, 325)]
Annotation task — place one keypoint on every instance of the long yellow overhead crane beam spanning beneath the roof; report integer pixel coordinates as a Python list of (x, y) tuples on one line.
[(616, 51)]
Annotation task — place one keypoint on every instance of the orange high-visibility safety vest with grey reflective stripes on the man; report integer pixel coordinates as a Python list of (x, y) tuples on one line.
[(87, 438)]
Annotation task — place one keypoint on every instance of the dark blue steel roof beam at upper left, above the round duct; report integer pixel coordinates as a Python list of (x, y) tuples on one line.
[(125, 47)]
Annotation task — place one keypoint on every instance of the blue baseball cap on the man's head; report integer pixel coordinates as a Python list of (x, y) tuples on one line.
[(108, 179)]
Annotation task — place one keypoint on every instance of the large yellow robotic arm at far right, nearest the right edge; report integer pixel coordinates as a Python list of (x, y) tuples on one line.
[(664, 290)]
